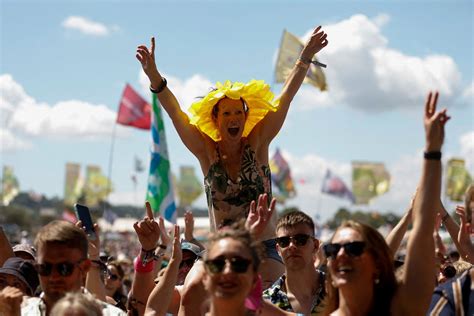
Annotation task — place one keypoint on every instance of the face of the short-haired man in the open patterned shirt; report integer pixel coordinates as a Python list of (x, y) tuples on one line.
[(297, 257)]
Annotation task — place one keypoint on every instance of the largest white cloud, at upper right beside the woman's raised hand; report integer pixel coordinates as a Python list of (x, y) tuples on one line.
[(363, 72)]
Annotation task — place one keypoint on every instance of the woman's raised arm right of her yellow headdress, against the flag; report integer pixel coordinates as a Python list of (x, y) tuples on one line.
[(273, 121)]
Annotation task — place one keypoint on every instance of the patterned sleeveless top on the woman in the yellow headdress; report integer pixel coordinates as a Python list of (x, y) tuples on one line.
[(229, 201)]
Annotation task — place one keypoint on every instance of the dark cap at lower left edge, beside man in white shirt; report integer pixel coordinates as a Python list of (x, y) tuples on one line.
[(24, 270)]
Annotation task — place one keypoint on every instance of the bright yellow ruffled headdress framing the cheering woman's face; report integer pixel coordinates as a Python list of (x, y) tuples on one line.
[(256, 94)]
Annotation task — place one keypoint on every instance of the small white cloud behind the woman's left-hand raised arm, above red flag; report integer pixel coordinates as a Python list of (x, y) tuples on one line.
[(186, 91)]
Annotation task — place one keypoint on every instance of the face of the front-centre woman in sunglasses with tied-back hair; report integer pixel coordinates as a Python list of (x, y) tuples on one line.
[(229, 285)]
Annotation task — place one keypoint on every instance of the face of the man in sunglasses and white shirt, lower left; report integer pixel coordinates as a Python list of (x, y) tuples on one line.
[(55, 285)]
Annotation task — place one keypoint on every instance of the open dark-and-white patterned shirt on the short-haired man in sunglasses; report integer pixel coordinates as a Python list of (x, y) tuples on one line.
[(277, 295)]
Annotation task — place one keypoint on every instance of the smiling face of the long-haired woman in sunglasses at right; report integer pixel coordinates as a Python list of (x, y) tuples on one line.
[(348, 270)]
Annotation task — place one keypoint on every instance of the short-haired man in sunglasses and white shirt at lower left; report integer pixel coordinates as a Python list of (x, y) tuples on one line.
[(62, 264)]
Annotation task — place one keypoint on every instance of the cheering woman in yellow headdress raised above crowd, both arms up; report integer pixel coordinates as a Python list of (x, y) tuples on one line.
[(229, 133)]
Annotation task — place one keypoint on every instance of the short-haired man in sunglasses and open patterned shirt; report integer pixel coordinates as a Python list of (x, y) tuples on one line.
[(301, 288)]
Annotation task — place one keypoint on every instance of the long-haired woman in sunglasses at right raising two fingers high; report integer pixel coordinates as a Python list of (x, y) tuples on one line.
[(360, 263)]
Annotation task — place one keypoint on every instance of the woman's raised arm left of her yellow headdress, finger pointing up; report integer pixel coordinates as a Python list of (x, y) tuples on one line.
[(189, 134)]
